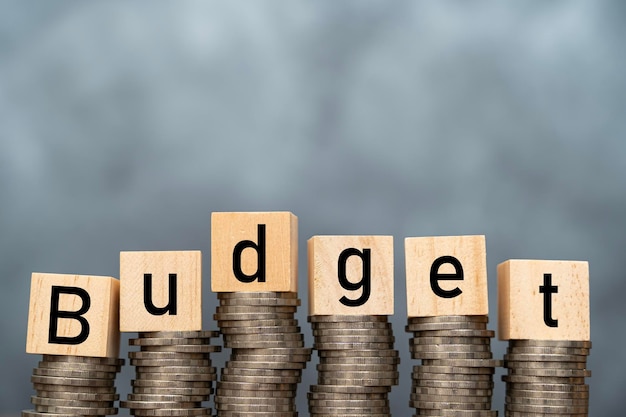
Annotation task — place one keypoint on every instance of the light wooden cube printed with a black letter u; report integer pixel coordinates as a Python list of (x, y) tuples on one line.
[(160, 291)]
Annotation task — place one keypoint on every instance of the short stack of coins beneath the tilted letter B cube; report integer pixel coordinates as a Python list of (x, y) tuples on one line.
[(74, 385)]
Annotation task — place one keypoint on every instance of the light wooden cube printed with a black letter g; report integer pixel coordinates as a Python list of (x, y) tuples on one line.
[(350, 275)]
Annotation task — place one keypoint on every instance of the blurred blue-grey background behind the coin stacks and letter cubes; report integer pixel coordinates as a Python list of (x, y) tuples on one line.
[(123, 125)]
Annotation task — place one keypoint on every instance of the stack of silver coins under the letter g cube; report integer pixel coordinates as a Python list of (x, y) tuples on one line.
[(357, 365)]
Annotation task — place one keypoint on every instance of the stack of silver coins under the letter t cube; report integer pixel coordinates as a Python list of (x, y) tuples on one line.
[(546, 377)]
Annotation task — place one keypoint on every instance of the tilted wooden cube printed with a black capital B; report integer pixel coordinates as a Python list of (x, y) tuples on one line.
[(74, 315)]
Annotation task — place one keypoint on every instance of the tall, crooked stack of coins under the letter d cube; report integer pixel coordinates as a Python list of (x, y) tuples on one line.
[(267, 357)]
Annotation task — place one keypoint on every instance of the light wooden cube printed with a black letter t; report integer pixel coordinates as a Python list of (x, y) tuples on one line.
[(543, 300)]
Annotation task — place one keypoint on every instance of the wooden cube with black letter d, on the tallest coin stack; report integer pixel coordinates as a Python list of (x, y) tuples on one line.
[(253, 252)]
